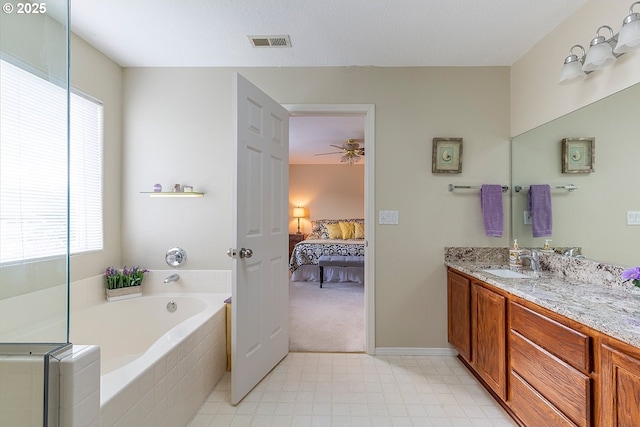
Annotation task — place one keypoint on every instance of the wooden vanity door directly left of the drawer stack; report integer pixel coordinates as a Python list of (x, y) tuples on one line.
[(489, 339)]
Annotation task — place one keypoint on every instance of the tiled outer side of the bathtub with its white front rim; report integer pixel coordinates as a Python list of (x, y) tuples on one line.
[(166, 388)]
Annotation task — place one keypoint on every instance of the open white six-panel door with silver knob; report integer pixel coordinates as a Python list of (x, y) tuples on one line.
[(260, 286)]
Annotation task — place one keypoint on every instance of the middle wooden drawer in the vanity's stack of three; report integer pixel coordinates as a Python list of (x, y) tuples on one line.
[(566, 388)]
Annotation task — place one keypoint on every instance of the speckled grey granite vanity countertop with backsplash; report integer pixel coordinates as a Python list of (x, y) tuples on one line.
[(586, 291)]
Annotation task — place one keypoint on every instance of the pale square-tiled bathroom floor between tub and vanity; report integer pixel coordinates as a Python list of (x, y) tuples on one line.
[(349, 389)]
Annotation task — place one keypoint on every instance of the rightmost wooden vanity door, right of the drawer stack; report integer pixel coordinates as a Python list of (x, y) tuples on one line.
[(620, 388)]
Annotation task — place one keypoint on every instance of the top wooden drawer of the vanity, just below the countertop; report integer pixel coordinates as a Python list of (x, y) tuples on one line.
[(567, 344)]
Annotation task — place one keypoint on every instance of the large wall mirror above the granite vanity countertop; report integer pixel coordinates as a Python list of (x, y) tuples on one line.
[(594, 216)]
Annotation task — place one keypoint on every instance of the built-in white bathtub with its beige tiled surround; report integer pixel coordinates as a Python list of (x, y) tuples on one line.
[(166, 384)]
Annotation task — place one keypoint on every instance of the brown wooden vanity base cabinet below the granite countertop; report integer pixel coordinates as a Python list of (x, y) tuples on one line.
[(545, 369)]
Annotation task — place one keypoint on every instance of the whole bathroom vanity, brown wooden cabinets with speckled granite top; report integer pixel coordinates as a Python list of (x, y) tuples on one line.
[(553, 351)]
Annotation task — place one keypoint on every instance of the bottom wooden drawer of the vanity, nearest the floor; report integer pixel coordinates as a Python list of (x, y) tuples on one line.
[(532, 408)]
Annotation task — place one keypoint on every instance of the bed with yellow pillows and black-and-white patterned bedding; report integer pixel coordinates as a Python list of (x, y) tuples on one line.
[(329, 237)]
